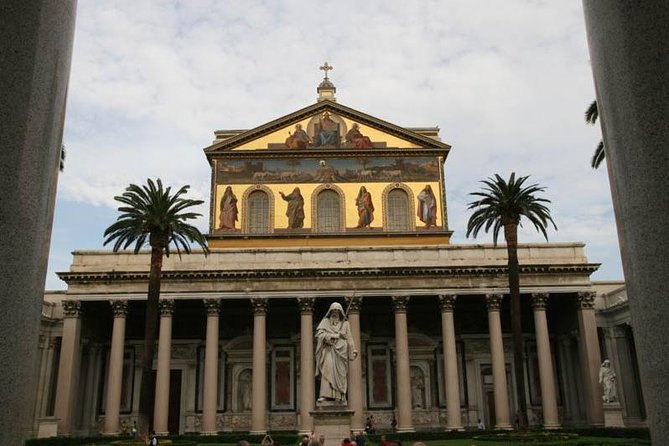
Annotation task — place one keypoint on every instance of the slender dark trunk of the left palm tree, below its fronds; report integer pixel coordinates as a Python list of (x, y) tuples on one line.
[(146, 391)]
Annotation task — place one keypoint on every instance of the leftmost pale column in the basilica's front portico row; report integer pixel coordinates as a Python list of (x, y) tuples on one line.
[(68, 368)]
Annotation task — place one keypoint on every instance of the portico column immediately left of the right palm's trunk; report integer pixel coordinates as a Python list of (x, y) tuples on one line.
[(503, 421)]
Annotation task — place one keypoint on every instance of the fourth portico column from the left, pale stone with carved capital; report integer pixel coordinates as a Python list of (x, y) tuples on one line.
[(210, 394)]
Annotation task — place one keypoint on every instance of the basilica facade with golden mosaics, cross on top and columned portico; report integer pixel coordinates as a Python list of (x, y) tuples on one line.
[(326, 204)]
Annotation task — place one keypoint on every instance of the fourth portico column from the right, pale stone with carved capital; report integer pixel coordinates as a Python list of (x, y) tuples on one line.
[(454, 419)]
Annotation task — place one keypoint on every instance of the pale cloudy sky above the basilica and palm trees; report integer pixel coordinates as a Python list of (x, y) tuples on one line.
[(507, 82)]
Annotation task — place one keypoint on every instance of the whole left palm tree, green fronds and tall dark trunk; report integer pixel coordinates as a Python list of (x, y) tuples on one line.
[(153, 215)]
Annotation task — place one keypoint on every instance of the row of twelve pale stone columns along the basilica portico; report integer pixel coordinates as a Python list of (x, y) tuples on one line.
[(590, 359)]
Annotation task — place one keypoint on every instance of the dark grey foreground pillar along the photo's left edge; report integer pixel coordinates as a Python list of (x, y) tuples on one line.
[(36, 46)]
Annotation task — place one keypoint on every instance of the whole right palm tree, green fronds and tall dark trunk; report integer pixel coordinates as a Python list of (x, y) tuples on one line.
[(503, 204)]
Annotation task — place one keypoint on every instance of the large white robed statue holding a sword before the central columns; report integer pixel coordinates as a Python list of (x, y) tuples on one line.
[(334, 350)]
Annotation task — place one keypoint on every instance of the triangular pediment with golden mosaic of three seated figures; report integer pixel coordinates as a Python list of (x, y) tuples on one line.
[(325, 125)]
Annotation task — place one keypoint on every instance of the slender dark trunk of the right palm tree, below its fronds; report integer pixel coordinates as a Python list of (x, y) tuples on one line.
[(511, 236)]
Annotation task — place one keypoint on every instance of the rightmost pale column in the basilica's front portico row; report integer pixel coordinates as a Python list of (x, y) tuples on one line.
[(590, 356)]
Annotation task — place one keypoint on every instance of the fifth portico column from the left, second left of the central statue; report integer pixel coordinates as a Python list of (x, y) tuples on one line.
[(259, 376)]
